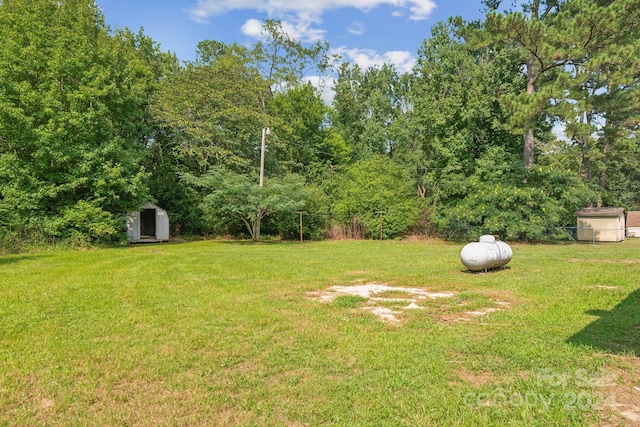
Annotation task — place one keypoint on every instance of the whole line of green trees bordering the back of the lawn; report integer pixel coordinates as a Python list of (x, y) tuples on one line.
[(95, 121)]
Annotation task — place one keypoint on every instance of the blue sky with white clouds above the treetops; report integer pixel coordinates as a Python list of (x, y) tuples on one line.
[(367, 32)]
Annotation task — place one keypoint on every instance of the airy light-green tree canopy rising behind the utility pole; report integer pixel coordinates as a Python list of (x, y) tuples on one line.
[(217, 105)]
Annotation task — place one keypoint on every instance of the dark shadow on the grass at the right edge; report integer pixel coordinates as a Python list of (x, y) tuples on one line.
[(616, 331)]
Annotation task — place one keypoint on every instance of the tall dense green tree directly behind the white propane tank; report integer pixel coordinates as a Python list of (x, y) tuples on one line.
[(470, 150)]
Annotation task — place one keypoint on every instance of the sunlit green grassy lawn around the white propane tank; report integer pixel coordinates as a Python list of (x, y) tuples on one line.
[(225, 333)]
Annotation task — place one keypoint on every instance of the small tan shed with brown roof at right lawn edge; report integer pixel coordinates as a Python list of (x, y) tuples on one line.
[(601, 224)]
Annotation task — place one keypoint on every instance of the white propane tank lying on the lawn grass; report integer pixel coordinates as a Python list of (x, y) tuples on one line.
[(485, 254)]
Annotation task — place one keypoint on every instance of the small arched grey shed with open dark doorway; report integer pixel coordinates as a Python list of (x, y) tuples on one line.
[(149, 223)]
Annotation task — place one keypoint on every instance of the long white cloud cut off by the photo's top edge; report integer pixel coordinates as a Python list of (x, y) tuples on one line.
[(203, 9)]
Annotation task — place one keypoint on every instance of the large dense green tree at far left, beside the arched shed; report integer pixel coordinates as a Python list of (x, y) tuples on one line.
[(72, 124)]
